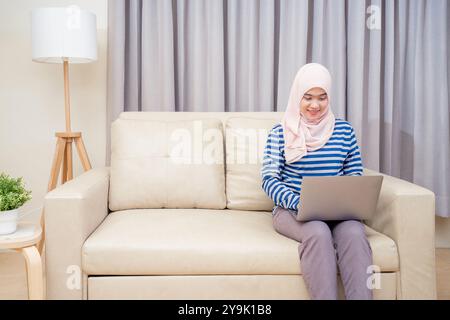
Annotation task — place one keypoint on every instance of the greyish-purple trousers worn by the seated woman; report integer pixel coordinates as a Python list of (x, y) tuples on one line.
[(325, 246)]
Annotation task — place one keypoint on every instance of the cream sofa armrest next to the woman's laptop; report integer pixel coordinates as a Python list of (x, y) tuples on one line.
[(406, 213)]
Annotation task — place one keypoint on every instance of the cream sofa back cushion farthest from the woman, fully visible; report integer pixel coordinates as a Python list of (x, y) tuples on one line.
[(167, 164)]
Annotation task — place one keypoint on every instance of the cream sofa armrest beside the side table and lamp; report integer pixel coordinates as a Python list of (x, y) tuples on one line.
[(72, 212)]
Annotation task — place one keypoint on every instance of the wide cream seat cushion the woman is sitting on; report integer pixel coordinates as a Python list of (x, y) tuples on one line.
[(201, 241)]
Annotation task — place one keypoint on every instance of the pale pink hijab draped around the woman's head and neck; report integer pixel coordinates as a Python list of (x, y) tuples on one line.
[(301, 135)]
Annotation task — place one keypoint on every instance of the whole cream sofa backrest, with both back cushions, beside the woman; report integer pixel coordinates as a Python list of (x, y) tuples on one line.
[(189, 160)]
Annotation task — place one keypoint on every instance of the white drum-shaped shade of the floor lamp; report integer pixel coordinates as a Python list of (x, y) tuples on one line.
[(63, 33)]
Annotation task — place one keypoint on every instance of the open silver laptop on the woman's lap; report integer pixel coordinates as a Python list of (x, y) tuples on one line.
[(338, 197)]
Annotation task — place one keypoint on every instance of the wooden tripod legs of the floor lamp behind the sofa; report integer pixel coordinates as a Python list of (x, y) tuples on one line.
[(62, 160)]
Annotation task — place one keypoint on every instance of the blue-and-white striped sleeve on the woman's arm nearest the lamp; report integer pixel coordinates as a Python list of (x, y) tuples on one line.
[(273, 162)]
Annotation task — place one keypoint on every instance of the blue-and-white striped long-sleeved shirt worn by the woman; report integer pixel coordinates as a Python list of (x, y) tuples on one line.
[(282, 182)]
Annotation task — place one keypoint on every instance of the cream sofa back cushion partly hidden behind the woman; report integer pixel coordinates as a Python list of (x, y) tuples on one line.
[(244, 147)]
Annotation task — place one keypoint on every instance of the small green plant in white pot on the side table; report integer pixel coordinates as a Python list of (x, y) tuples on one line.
[(12, 196)]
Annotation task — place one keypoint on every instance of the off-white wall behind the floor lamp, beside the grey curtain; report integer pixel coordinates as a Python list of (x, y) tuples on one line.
[(32, 99)]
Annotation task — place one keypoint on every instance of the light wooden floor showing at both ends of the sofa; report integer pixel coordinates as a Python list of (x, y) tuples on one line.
[(13, 283)]
